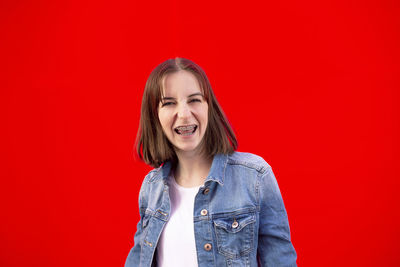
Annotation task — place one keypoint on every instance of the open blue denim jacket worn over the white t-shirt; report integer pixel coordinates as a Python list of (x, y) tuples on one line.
[(246, 222)]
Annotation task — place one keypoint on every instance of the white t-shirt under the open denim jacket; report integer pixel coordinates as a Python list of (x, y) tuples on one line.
[(177, 247)]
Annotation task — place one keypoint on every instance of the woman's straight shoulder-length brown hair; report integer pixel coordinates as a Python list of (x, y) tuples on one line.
[(152, 145)]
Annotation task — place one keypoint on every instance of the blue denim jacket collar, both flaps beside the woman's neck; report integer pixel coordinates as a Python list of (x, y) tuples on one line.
[(217, 171)]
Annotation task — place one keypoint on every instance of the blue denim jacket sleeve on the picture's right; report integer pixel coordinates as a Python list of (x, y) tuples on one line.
[(274, 245)]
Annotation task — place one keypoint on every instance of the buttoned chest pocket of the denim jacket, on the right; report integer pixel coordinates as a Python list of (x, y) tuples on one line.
[(235, 234)]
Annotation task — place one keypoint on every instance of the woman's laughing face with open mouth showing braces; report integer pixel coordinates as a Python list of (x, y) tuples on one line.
[(183, 111)]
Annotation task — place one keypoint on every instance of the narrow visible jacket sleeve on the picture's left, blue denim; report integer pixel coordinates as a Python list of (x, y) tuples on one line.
[(133, 258)]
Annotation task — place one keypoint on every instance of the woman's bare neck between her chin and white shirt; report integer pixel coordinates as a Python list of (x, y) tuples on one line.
[(192, 169)]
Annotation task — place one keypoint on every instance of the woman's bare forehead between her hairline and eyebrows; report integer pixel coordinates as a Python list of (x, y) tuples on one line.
[(180, 83)]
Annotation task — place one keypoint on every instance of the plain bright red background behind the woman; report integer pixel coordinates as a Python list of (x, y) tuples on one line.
[(312, 86)]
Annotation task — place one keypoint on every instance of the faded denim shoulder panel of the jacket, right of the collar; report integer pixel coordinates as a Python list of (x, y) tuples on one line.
[(248, 160)]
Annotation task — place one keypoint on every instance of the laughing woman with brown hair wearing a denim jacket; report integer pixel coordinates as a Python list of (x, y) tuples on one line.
[(204, 204)]
